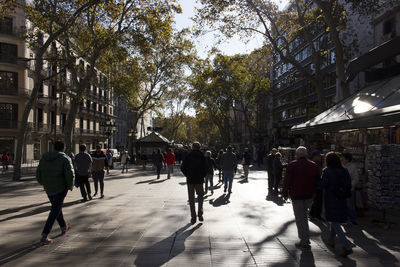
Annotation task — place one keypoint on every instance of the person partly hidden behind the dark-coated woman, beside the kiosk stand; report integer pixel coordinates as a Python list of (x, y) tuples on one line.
[(347, 161)]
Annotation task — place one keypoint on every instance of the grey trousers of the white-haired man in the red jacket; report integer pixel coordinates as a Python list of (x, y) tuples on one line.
[(301, 208)]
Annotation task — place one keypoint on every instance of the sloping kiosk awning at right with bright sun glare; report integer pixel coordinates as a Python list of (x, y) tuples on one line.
[(376, 105)]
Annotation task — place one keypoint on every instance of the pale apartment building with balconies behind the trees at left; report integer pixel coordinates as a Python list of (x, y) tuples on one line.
[(48, 116)]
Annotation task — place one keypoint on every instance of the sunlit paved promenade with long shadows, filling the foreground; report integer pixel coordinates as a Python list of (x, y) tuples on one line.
[(145, 222)]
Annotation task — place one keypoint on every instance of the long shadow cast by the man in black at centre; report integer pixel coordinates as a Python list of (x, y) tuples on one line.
[(149, 256)]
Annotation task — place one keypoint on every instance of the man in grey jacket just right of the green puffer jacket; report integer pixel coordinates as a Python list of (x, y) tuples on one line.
[(83, 165)]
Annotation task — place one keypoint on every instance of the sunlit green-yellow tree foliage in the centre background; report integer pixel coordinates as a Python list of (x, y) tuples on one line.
[(229, 85)]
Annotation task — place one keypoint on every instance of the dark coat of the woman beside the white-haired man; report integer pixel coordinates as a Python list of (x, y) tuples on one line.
[(332, 179)]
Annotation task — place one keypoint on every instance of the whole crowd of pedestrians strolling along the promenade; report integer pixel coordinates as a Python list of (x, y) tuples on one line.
[(315, 192)]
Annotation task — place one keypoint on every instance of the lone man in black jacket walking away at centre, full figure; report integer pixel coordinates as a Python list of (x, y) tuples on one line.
[(195, 169)]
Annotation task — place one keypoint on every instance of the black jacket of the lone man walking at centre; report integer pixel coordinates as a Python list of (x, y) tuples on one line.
[(194, 167)]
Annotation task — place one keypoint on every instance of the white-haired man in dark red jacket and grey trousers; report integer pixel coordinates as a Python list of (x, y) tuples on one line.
[(300, 179)]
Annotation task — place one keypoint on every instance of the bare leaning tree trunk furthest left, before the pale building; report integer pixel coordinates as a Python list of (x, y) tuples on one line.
[(38, 80)]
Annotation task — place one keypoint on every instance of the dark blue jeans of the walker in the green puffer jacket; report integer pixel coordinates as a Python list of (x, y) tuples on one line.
[(56, 201)]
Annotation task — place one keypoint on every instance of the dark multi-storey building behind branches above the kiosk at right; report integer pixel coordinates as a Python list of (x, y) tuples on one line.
[(295, 99)]
